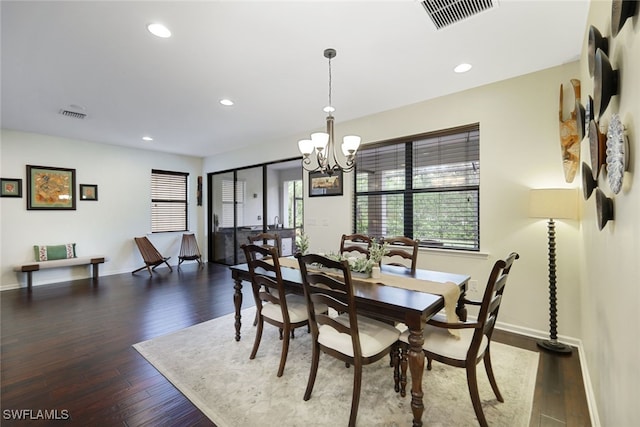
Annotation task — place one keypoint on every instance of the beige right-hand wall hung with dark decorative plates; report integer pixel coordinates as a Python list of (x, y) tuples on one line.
[(611, 262)]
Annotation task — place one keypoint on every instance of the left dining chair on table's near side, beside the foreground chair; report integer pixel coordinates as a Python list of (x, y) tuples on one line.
[(273, 305)]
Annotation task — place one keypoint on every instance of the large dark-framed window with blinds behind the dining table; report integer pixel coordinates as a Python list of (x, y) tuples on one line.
[(425, 187)]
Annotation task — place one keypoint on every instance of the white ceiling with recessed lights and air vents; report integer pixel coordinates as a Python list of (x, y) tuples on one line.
[(265, 55)]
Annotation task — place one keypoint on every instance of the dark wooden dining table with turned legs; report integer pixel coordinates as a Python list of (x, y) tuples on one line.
[(411, 307)]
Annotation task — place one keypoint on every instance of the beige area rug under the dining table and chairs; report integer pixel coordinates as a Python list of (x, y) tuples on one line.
[(214, 372)]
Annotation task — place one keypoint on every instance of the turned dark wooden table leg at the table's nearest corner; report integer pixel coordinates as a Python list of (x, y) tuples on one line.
[(416, 367)]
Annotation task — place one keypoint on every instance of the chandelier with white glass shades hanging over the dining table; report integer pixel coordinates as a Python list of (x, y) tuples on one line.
[(326, 158)]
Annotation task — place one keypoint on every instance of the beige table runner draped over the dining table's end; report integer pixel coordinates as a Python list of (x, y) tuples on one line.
[(448, 290)]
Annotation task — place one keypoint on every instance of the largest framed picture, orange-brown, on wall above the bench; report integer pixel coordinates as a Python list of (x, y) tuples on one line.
[(50, 188)]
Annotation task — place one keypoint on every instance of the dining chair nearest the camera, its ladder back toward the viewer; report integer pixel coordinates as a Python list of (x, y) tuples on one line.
[(351, 338)]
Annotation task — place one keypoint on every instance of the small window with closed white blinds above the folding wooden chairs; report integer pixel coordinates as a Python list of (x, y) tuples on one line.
[(168, 201)]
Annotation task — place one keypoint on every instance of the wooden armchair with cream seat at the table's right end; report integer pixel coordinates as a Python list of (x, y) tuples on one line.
[(475, 338)]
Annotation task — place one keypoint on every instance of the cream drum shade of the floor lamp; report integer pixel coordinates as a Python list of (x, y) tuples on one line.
[(556, 203)]
